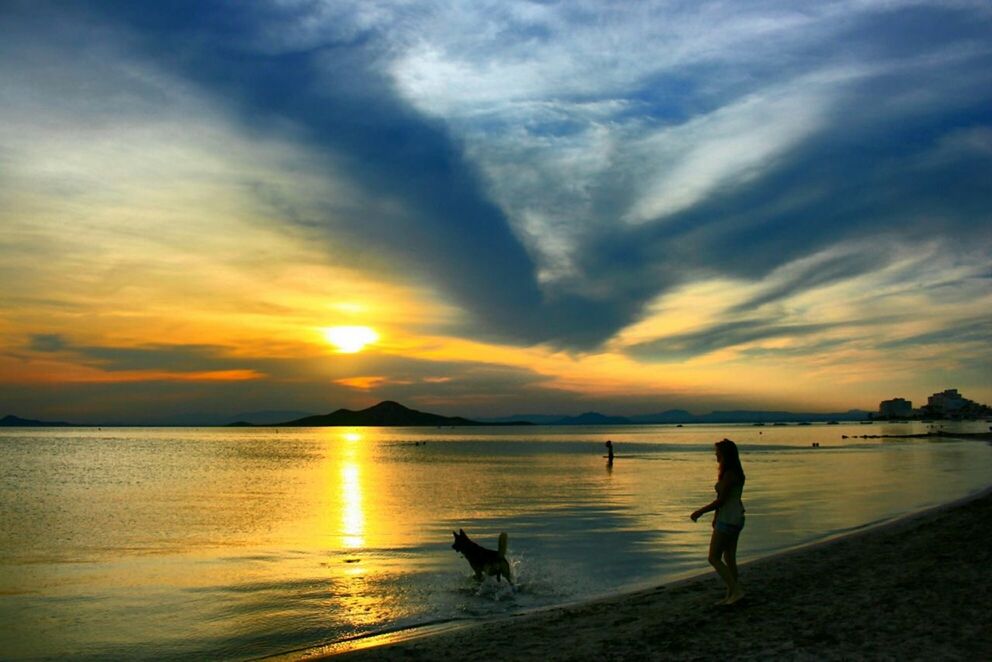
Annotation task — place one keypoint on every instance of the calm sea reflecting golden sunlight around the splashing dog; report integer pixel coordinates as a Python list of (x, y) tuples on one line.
[(240, 543)]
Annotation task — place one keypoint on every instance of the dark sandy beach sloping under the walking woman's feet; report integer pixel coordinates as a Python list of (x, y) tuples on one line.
[(919, 588)]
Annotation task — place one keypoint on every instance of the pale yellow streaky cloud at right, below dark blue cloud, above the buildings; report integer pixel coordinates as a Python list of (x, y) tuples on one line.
[(846, 304)]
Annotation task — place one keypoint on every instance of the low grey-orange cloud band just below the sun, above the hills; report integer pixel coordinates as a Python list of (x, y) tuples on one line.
[(185, 378)]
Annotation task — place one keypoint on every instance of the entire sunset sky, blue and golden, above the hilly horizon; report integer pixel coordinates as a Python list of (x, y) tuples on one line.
[(535, 207)]
